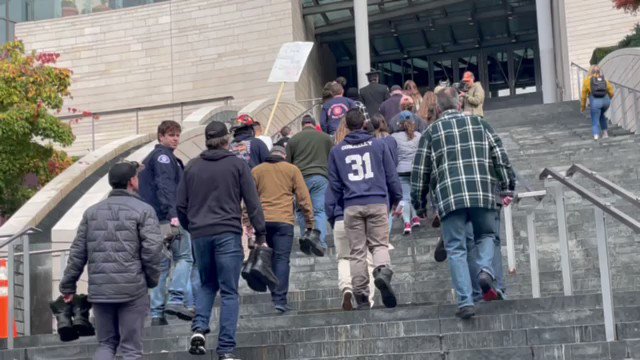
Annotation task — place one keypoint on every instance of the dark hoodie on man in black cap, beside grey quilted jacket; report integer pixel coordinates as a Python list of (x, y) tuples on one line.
[(210, 193)]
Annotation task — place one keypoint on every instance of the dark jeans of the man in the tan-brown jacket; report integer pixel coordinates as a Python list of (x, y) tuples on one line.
[(280, 239)]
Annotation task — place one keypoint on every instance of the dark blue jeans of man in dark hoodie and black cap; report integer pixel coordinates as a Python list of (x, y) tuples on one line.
[(219, 260)]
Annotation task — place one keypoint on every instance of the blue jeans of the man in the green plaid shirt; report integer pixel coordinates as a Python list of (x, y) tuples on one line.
[(454, 233)]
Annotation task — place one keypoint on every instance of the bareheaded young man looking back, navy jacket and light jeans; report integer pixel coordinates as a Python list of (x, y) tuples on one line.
[(158, 183)]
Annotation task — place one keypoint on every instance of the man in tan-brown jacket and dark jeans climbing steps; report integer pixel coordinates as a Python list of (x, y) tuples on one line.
[(278, 182)]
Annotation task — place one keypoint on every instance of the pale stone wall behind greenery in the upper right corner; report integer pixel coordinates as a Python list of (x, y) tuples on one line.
[(591, 24)]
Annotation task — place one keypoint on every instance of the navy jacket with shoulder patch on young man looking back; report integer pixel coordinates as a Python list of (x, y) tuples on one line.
[(159, 181)]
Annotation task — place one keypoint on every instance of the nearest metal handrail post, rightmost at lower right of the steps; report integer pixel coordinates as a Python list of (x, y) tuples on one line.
[(605, 276)]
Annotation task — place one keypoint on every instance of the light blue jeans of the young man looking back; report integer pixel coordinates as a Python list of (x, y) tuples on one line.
[(180, 286)]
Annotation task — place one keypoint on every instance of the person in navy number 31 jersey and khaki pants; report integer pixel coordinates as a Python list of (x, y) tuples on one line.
[(364, 181)]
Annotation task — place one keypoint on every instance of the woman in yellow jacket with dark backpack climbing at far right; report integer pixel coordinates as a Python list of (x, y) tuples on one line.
[(599, 92)]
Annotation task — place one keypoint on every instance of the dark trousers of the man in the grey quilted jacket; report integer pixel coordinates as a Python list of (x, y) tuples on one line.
[(120, 325)]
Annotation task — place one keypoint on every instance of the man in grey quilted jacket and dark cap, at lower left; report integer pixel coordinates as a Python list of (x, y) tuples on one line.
[(119, 239)]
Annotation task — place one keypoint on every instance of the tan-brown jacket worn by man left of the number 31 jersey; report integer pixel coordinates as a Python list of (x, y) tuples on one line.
[(277, 183)]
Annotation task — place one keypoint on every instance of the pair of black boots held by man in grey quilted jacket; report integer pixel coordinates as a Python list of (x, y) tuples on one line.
[(72, 318)]
